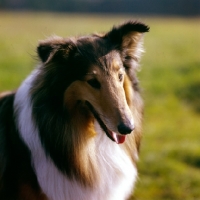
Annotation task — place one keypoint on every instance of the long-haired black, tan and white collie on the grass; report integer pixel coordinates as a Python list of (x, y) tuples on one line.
[(72, 130)]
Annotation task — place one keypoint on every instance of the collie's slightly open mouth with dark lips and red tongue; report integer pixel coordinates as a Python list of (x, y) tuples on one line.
[(115, 137)]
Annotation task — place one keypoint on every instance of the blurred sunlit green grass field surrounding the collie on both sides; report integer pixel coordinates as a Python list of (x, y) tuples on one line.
[(169, 165)]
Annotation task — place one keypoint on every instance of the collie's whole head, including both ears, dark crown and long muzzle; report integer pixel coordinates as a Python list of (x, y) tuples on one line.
[(98, 72)]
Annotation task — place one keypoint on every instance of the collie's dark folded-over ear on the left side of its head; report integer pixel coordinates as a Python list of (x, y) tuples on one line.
[(53, 47)]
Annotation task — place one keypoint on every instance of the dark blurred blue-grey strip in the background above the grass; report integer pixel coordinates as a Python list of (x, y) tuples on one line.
[(176, 7)]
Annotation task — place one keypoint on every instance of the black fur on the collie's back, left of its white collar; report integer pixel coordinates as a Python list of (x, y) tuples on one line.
[(15, 162)]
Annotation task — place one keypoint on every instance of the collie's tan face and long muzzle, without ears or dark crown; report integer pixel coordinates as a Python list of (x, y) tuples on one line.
[(101, 89)]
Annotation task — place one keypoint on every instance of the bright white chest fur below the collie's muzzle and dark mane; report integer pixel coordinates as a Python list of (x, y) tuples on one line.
[(117, 176)]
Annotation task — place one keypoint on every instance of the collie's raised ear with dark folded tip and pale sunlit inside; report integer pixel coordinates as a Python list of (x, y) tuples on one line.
[(128, 39)]
